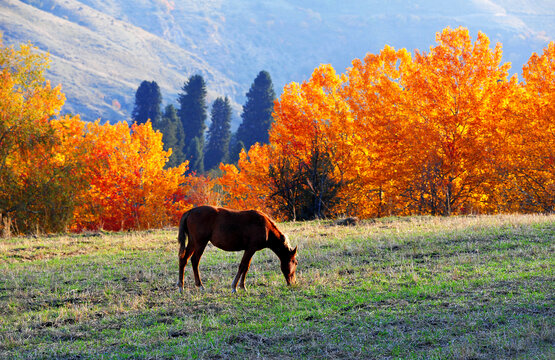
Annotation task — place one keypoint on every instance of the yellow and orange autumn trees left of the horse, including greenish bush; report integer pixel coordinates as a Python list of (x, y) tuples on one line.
[(57, 172)]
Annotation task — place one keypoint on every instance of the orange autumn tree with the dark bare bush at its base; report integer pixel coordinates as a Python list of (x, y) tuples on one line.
[(315, 127)]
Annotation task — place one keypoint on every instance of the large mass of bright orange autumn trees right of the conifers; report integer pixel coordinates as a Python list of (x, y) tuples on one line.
[(439, 132)]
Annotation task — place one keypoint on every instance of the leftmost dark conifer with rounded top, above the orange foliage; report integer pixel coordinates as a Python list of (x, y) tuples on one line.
[(147, 103)]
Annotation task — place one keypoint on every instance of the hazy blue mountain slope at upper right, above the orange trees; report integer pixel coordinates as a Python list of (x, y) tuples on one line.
[(292, 37)]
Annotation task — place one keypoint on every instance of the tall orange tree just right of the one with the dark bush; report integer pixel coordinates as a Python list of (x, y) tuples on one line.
[(382, 130)]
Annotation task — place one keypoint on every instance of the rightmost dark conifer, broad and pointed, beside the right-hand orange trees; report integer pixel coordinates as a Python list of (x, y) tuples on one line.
[(257, 112)]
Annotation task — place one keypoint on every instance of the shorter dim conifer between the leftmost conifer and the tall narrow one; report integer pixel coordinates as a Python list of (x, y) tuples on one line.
[(173, 138)]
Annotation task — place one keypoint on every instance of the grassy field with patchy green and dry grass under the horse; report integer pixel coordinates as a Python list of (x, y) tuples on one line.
[(410, 288)]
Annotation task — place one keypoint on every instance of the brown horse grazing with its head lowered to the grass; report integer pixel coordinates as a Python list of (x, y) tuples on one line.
[(232, 230)]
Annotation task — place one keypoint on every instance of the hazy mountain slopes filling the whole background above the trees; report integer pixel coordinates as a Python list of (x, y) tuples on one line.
[(102, 49)]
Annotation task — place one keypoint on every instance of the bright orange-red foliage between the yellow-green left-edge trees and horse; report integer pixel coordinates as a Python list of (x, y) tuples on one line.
[(129, 187)]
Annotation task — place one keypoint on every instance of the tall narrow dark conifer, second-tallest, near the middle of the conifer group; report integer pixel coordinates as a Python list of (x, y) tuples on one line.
[(192, 114)]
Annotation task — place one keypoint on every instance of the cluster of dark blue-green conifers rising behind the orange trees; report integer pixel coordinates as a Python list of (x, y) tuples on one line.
[(184, 127)]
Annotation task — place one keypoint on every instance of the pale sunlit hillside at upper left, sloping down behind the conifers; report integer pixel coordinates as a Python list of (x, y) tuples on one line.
[(100, 61)]
